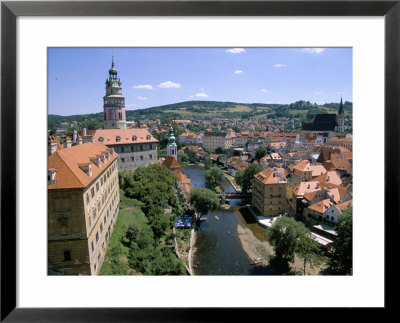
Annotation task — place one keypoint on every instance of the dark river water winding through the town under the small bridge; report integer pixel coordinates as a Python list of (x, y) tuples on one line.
[(218, 249)]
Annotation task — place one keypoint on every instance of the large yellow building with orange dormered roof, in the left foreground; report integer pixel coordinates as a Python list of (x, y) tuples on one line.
[(83, 204)]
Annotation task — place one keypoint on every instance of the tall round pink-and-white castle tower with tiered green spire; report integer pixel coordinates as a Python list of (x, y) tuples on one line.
[(114, 102)]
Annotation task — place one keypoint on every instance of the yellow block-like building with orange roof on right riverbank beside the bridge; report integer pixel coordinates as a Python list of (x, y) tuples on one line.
[(269, 191)]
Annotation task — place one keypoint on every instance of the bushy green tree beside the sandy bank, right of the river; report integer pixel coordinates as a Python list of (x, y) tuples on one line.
[(284, 236)]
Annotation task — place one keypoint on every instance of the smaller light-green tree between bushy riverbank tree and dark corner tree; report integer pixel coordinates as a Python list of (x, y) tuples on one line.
[(309, 250)]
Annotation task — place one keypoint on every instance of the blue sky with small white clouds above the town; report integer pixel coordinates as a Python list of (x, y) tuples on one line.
[(157, 76)]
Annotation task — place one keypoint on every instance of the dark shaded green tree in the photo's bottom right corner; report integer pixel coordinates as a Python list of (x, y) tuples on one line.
[(341, 260)]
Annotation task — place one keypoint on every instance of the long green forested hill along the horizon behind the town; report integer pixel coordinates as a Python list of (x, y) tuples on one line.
[(212, 109)]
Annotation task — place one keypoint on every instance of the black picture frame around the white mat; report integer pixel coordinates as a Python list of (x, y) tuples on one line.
[(10, 10)]
